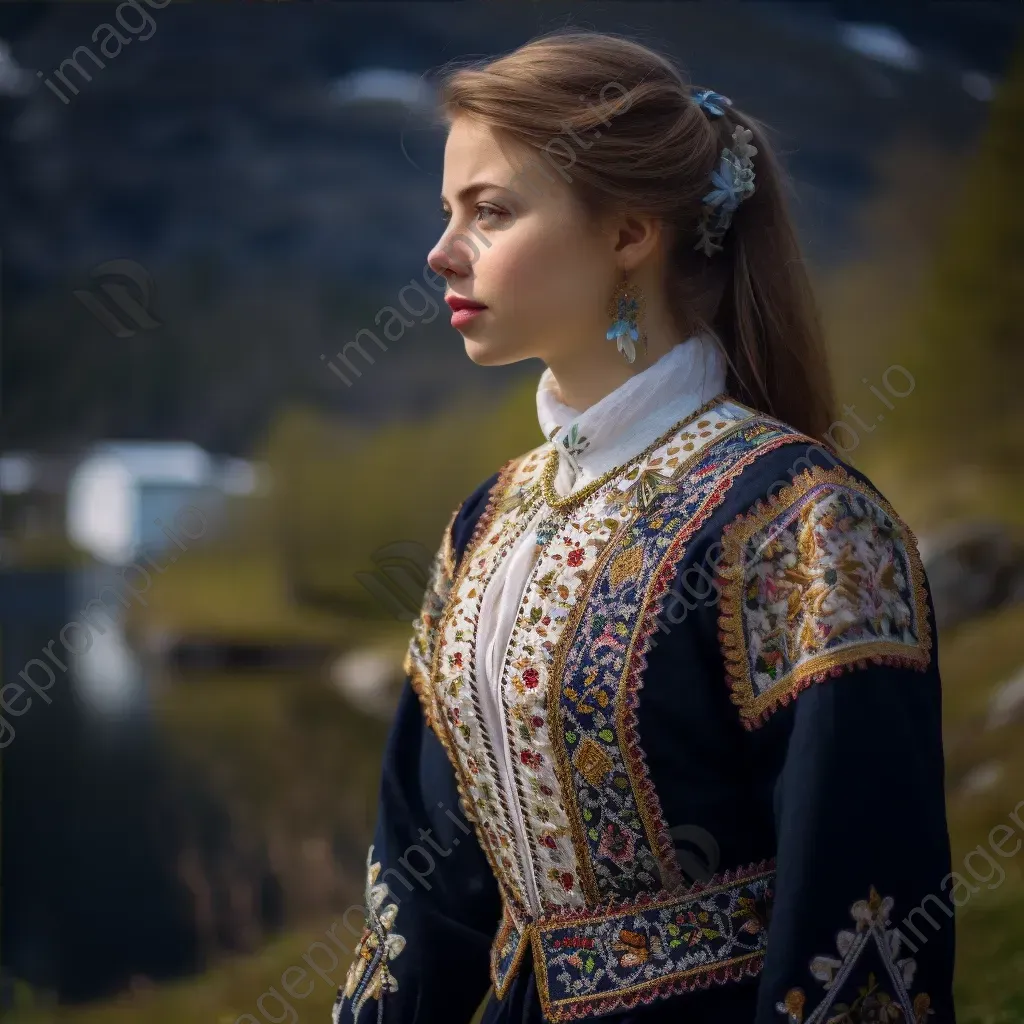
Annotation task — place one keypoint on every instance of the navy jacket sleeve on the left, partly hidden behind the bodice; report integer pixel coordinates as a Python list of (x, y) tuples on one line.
[(432, 903)]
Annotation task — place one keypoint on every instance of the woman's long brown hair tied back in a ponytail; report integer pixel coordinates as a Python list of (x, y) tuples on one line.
[(646, 146)]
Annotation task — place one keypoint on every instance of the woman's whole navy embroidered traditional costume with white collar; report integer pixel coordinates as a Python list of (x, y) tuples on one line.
[(670, 744)]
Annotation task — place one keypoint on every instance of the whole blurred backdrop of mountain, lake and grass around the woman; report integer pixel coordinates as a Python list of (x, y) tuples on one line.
[(222, 208)]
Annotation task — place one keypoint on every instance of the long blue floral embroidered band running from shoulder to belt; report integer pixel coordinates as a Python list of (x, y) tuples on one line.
[(610, 799)]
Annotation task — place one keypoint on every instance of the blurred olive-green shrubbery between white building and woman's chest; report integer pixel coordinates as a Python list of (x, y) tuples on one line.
[(342, 494)]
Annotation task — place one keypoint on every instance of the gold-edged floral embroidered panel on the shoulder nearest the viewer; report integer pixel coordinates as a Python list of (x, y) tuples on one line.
[(822, 578)]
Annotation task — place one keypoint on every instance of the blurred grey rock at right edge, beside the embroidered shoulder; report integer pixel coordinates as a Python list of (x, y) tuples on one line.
[(973, 568)]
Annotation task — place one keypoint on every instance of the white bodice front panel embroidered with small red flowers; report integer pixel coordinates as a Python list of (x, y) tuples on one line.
[(545, 860)]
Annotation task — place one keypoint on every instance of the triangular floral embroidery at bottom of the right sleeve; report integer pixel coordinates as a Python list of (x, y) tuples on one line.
[(873, 1003)]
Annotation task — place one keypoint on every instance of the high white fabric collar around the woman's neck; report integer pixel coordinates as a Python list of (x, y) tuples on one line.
[(622, 424)]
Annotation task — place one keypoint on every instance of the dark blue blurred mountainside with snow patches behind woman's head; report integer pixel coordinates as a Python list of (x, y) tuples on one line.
[(275, 173)]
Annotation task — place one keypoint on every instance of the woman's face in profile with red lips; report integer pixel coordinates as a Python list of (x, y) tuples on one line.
[(518, 242)]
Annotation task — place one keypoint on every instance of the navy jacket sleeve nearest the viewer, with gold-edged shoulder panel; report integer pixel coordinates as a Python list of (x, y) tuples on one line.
[(828, 633)]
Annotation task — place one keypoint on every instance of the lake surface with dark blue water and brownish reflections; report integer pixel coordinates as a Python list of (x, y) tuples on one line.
[(101, 807)]
